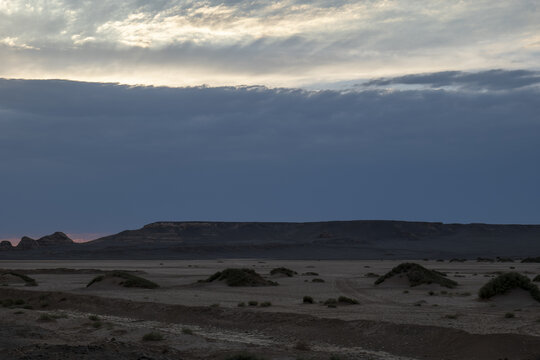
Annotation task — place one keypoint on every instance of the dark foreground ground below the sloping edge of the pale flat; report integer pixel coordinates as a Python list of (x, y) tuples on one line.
[(217, 333)]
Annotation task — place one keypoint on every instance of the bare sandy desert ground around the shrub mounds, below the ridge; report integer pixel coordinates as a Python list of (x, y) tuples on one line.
[(392, 321)]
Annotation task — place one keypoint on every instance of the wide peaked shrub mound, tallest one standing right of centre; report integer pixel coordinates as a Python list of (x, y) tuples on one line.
[(417, 275)]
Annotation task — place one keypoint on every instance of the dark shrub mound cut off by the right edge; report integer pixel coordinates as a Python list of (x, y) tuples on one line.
[(506, 282)]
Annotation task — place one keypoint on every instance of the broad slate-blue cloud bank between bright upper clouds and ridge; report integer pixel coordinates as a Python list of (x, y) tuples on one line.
[(94, 157)]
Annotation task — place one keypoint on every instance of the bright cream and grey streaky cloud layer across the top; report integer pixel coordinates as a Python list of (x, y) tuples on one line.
[(275, 43)]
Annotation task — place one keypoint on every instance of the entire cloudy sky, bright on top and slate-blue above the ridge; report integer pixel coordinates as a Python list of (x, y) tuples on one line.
[(117, 114)]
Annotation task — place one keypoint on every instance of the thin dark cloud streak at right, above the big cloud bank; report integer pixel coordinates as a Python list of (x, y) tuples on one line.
[(491, 79)]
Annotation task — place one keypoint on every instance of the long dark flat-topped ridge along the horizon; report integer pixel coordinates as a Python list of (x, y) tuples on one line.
[(358, 239)]
